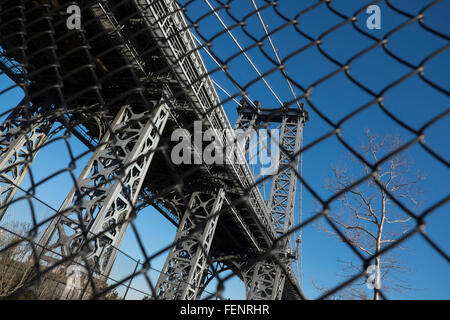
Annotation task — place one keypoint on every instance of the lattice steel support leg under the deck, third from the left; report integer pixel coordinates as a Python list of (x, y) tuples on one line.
[(183, 272)]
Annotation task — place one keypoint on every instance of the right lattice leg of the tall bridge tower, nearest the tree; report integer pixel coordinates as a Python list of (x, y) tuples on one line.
[(266, 279)]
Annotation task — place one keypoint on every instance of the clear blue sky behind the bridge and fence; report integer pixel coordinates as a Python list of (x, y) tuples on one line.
[(412, 101)]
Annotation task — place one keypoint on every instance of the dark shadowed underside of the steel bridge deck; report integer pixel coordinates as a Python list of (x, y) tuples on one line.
[(90, 74)]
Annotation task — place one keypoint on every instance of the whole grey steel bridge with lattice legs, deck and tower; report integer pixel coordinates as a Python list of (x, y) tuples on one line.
[(122, 84)]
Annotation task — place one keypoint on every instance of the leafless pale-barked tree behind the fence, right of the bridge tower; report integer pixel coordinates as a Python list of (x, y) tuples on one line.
[(368, 217)]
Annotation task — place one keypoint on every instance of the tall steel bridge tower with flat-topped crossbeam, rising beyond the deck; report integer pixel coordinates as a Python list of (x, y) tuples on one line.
[(265, 279)]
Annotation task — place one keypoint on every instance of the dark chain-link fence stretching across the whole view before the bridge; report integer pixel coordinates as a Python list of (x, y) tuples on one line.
[(104, 191)]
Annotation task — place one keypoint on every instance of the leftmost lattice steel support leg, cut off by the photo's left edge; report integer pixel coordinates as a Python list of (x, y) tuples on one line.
[(21, 135)]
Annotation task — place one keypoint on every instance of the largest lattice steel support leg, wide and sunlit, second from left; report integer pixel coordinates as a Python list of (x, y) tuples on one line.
[(106, 191)]
